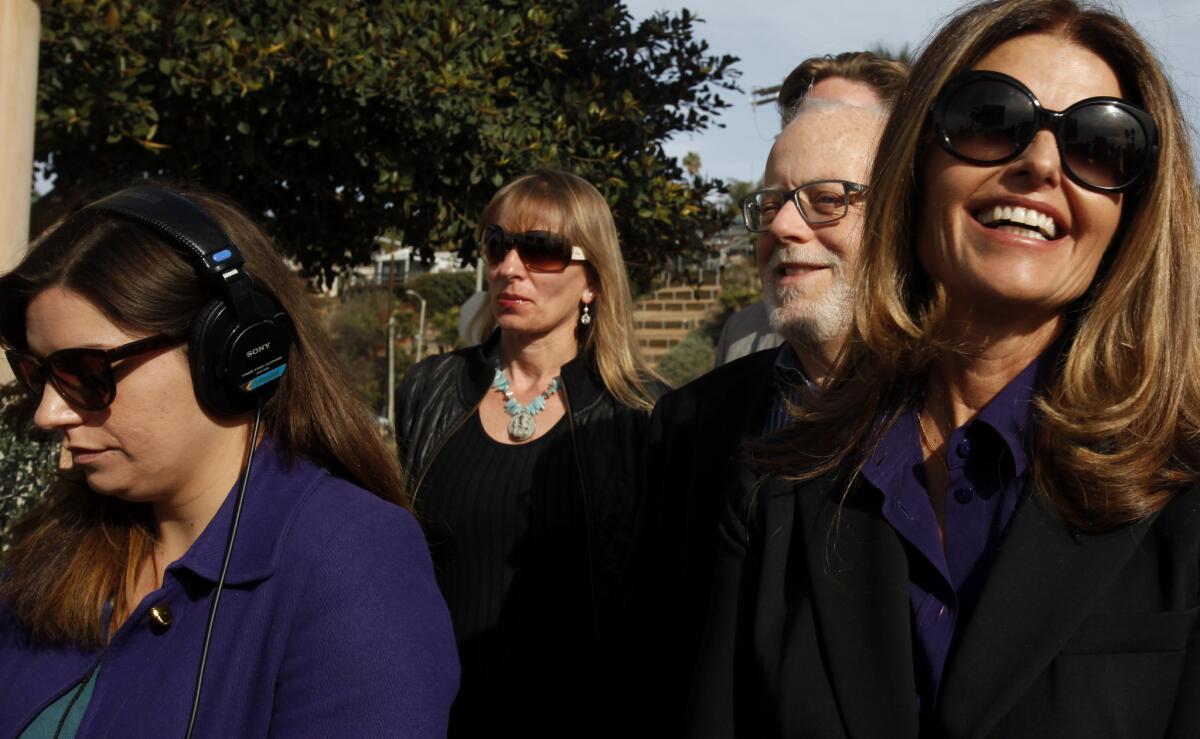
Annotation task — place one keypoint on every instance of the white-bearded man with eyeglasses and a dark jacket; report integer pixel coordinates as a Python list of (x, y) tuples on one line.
[(808, 226)]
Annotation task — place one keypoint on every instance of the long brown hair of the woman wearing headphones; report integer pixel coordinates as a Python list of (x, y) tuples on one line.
[(77, 551)]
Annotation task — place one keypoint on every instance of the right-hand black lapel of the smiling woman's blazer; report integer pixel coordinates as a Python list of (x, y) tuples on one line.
[(1046, 581)]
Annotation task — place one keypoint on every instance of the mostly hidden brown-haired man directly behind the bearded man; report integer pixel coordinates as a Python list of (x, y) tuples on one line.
[(857, 79)]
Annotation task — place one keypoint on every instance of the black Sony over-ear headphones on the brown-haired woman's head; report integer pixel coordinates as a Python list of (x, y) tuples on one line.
[(239, 341)]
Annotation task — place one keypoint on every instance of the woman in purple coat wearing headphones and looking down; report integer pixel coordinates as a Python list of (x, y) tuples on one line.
[(218, 460)]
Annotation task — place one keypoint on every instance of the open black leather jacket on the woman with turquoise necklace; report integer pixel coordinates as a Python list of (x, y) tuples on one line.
[(439, 395)]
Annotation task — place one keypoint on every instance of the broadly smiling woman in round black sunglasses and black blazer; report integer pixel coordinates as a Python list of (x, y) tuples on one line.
[(988, 524)]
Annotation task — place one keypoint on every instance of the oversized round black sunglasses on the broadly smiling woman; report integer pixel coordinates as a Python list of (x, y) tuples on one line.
[(988, 118)]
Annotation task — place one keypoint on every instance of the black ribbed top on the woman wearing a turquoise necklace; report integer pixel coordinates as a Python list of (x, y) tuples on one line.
[(493, 514)]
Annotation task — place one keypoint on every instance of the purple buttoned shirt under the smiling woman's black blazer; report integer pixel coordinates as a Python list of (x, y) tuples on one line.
[(987, 467)]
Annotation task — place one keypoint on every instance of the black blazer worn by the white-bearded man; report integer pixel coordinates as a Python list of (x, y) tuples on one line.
[(694, 461)]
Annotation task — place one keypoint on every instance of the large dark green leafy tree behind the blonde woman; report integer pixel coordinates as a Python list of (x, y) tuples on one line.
[(338, 121)]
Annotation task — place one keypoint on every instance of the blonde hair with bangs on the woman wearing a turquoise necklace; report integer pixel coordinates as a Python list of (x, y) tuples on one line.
[(568, 205)]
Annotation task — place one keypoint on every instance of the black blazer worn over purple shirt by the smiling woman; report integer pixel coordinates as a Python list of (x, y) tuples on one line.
[(1076, 635)]
